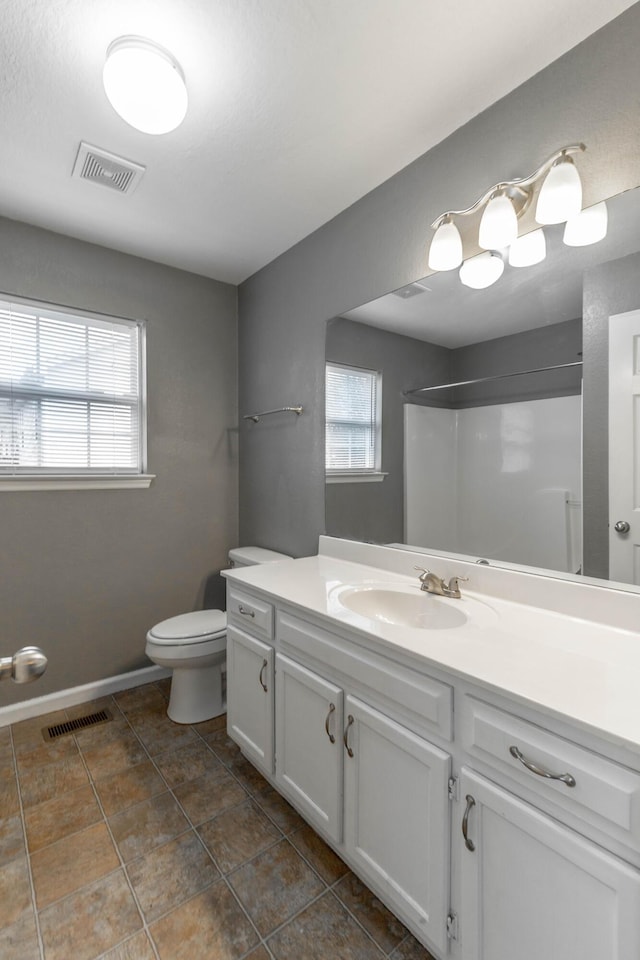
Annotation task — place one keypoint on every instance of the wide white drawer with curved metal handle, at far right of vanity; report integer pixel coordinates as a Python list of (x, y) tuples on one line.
[(604, 794)]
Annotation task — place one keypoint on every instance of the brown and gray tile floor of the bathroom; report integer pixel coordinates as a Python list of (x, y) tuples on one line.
[(141, 839)]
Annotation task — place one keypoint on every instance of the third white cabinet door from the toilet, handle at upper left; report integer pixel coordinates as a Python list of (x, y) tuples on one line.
[(397, 816)]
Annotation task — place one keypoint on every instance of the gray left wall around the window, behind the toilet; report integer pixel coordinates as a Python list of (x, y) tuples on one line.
[(85, 573)]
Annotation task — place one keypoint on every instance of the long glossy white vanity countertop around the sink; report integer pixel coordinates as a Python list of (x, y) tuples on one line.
[(579, 669)]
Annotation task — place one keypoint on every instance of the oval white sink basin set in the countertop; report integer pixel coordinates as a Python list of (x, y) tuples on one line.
[(419, 610)]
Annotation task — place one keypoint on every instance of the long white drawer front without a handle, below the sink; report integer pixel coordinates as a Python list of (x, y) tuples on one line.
[(423, 703)]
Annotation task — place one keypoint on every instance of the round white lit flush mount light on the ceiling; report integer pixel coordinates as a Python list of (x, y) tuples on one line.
[(145, 85)]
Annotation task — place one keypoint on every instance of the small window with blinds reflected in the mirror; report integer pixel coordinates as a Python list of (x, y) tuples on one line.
[(353, 436)]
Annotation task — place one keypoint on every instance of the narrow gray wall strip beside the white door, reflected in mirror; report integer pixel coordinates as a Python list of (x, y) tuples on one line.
[(608, 289)]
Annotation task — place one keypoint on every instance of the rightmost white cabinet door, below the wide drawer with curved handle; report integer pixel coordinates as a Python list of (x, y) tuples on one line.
[(532, 888)]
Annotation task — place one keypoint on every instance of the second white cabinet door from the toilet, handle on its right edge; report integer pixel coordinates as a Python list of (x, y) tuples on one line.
[(309, 738)]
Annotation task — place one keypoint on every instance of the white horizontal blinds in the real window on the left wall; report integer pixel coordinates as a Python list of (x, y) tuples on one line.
[(70, 392)]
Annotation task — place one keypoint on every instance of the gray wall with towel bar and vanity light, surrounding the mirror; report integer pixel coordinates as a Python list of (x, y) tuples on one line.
[(379, 244)]
